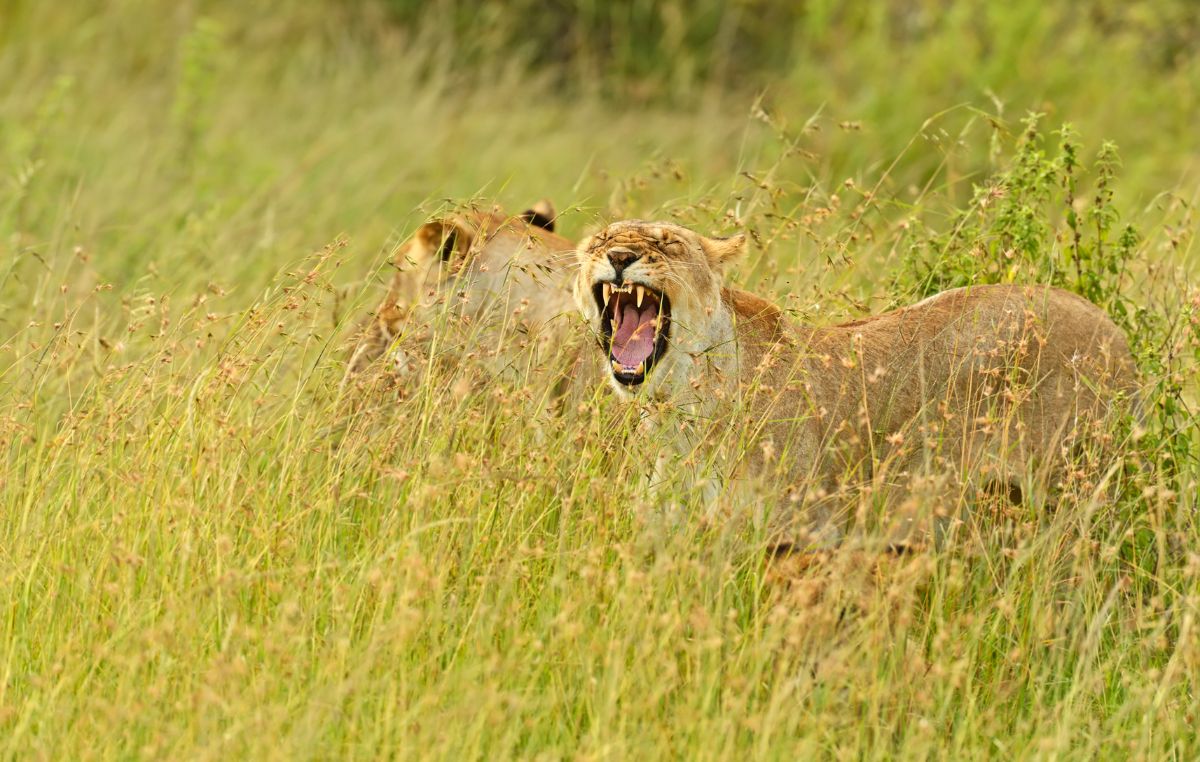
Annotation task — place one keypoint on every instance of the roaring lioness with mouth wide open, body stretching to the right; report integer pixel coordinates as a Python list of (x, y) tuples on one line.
[(991, 385)]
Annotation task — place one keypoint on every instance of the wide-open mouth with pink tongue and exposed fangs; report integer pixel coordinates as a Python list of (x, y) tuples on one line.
[(635, 322)]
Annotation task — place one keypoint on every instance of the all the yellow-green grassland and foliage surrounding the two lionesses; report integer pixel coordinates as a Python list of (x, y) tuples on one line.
[(209, 551)]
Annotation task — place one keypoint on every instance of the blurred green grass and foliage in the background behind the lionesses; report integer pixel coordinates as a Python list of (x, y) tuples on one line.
[(227, 139)]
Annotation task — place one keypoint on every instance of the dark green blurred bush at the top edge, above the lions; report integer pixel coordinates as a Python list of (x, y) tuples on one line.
[(645, 50)]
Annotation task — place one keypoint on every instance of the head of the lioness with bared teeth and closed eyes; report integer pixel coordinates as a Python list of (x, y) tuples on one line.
[(652, 292)]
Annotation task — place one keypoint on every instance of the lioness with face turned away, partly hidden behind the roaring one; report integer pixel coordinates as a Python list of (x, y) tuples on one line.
[(503, 275)]
